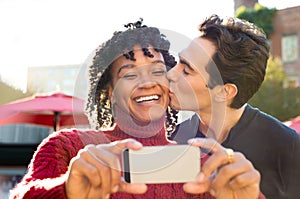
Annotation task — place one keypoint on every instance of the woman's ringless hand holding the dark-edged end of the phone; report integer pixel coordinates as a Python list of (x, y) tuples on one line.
[(96, 171)]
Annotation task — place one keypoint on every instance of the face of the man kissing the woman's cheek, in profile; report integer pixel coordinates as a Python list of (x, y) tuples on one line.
[(189, 79)]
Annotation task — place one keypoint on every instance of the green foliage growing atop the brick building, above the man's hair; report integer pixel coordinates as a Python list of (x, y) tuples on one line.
[(260, 15)]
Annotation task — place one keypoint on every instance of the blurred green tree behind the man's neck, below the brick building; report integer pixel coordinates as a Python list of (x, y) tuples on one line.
[(275, 97)]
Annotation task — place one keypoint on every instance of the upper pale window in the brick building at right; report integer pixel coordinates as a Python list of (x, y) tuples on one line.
[(289, 48)]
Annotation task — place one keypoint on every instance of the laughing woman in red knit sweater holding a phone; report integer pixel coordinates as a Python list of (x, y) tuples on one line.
[(127, 101)]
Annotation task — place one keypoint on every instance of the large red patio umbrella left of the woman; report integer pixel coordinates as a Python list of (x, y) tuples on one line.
[(54, 110)]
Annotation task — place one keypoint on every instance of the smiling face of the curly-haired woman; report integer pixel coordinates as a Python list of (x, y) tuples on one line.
[(140, 87)]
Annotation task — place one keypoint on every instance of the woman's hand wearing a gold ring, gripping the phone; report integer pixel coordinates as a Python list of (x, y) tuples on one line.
[(225, 174)]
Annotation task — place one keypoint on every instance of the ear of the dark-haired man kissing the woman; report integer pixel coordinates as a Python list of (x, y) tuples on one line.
[(225, 92)]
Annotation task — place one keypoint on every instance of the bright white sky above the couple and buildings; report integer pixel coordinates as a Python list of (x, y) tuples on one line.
[(64, 32)]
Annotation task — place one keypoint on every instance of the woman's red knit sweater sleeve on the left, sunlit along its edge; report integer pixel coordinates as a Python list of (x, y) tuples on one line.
[(46, 173)]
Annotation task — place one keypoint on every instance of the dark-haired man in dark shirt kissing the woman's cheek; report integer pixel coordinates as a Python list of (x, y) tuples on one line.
[(216, 76)]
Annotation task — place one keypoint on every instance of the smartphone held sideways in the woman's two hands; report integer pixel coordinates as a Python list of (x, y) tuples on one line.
[(161, 164)]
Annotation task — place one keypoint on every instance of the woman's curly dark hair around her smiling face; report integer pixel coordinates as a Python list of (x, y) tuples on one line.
[(98, 107)]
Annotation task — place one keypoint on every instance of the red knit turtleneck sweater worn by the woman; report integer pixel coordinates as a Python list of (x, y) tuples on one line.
[(47, 171)]
